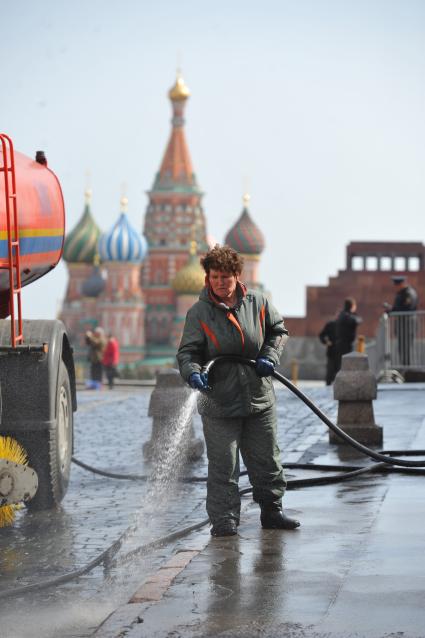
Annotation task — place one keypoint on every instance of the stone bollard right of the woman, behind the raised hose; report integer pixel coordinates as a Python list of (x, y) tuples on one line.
[(355, 388)]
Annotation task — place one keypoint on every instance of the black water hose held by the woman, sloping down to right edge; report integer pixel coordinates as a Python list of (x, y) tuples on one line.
[(378, 456)]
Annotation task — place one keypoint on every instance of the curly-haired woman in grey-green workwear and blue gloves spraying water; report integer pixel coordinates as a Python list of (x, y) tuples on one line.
[(238, 411)]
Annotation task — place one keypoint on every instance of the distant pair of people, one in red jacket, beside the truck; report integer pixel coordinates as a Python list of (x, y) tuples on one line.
[(103, 355)]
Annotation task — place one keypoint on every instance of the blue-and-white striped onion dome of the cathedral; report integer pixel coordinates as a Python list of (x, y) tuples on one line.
[(122, 242)]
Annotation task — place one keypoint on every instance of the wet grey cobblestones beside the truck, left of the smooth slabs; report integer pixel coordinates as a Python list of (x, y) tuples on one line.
[(110, 429)]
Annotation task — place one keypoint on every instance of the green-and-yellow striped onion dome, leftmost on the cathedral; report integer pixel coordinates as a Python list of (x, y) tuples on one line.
[(81, 243)]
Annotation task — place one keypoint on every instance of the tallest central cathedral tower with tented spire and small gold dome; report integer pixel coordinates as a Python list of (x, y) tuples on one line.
[(174, 217)]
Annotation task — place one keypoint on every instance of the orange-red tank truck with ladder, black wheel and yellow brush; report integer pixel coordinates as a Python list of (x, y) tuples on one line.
[(37, 375)]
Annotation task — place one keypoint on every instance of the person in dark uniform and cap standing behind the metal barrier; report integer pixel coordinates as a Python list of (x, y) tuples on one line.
[(405, 301)]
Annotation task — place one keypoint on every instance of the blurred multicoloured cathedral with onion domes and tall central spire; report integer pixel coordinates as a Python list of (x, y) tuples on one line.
[(140, 286)]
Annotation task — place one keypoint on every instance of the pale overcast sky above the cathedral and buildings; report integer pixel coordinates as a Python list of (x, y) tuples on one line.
[(316, 107)]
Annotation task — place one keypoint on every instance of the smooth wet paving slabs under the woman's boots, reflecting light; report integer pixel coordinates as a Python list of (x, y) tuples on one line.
[(354, 569)]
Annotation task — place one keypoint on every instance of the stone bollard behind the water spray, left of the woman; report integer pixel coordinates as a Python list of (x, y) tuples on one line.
[(169, 394)]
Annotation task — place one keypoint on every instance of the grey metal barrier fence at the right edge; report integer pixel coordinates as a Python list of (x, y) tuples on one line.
[(399, 345)]
